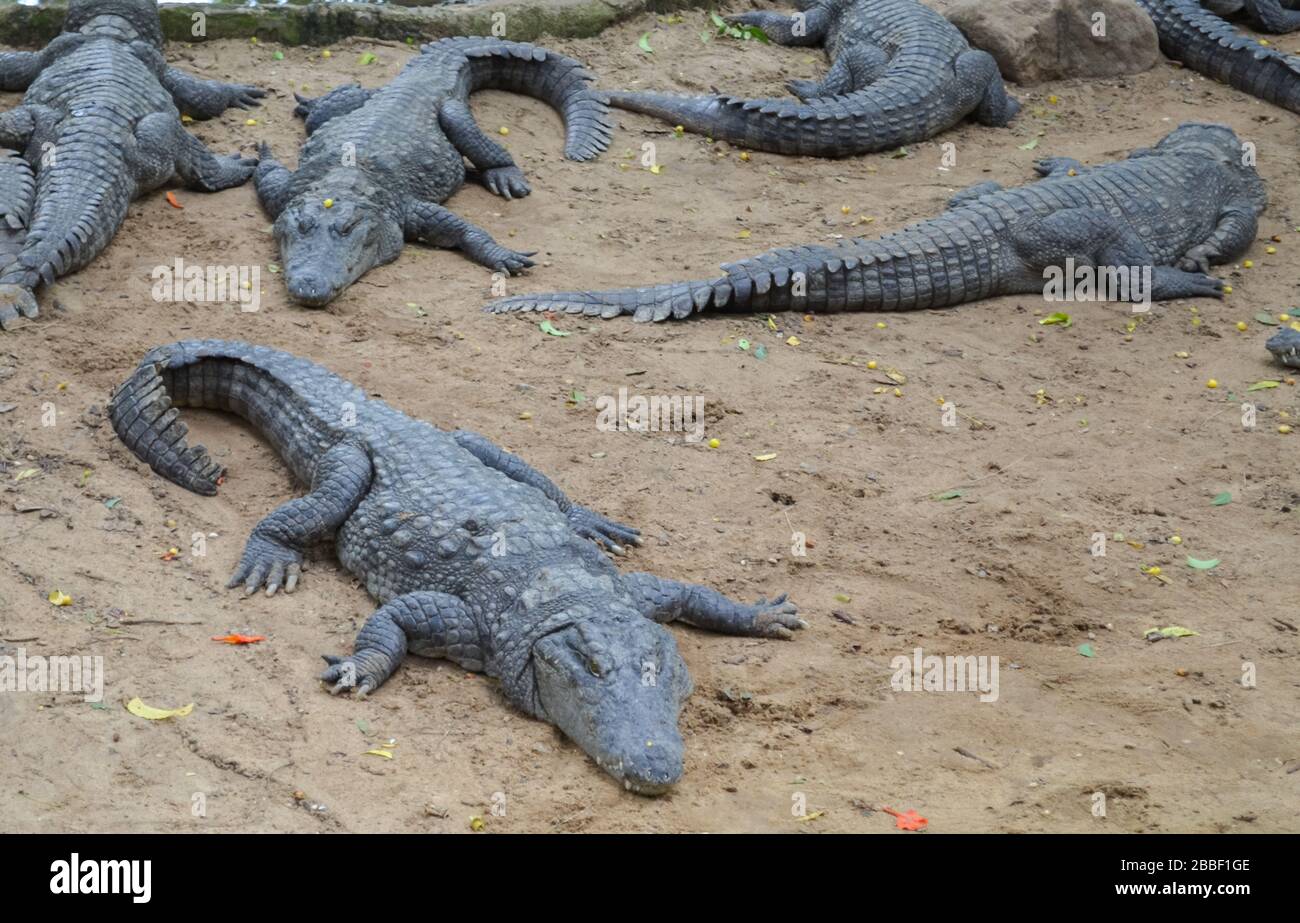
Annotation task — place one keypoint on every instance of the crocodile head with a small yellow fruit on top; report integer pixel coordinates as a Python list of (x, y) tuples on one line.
[(331, 240)]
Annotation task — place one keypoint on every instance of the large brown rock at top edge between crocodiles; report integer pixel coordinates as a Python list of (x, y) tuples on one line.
[(1037, 41)]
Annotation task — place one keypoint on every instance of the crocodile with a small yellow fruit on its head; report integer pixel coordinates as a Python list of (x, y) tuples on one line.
[(379, 163)]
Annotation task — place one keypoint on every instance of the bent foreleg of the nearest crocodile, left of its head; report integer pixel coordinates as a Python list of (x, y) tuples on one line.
[(426, 623)]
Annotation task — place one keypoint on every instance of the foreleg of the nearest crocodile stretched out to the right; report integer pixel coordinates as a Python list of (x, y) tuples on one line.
[(669, 601)]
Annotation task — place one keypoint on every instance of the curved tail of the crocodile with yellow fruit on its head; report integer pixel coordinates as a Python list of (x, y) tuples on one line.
[(560, 81)]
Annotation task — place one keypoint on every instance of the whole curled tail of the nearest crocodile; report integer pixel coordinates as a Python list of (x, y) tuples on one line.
[(289, 400)]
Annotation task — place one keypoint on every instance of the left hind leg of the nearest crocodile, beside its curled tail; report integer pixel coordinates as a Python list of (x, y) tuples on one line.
[(275, 552)]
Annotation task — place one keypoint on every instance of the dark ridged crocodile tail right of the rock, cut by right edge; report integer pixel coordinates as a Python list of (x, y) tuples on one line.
[(1198, 38)]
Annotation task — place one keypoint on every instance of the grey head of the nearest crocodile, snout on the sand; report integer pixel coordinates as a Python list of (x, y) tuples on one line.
[(616, 686)]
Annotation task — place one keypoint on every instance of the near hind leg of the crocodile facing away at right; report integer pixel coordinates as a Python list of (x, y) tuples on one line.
[(1095, 239)]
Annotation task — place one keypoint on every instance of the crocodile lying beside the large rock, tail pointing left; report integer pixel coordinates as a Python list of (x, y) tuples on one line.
[(900, 73)]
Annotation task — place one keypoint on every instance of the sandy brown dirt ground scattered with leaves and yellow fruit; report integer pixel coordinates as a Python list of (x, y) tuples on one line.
[(1064, 434)]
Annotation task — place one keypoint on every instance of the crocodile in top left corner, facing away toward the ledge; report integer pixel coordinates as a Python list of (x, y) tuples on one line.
[(99, 127)]
